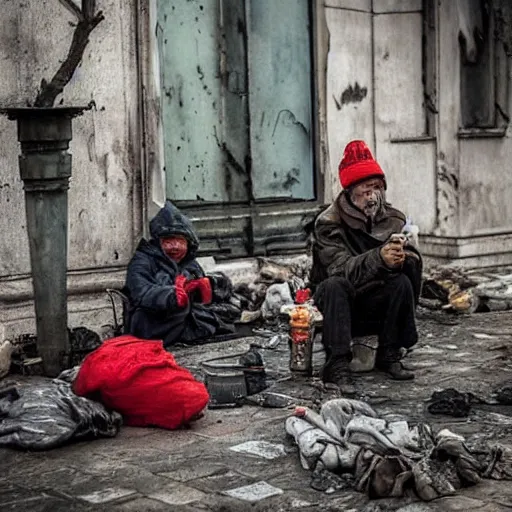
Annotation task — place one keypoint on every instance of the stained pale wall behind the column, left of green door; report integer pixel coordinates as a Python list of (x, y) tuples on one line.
[(104, 195)]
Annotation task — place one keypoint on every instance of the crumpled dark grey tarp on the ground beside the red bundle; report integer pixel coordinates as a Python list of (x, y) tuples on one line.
[(45, 415)]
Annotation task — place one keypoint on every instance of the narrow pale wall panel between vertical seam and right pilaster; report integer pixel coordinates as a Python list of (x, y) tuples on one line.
[(400, 116)]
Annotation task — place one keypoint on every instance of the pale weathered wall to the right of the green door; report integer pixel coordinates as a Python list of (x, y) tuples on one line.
[(455, 189)]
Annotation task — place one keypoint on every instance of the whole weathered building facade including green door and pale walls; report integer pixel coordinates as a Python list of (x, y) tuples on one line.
[(239, 111)]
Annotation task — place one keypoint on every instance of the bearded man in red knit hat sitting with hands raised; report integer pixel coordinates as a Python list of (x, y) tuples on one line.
[(367, 281)]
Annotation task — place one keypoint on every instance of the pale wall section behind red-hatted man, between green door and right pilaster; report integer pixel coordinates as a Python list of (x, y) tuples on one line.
[(375, 93)]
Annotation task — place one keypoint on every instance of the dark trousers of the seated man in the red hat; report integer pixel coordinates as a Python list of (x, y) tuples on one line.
[(386, 310)]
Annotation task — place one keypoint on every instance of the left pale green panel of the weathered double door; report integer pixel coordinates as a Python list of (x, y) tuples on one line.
[(188, 34)]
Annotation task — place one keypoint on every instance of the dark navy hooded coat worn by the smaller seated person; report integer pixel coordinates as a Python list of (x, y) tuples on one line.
[(150, 286)]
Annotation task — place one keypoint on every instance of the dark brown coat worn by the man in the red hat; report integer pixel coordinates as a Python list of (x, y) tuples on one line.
[(346, 243)]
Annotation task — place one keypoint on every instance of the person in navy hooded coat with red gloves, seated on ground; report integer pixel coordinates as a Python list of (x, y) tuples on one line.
[(167, 288)]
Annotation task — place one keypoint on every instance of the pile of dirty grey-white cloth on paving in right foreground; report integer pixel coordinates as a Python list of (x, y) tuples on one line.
[(348, 445)]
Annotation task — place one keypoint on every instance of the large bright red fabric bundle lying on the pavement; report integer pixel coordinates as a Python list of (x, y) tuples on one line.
[(143, 382)]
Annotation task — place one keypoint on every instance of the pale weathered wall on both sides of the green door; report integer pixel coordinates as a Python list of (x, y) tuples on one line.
[(369, 73)]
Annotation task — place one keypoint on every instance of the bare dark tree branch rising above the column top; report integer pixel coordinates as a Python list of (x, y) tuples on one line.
[(49, 91)]
